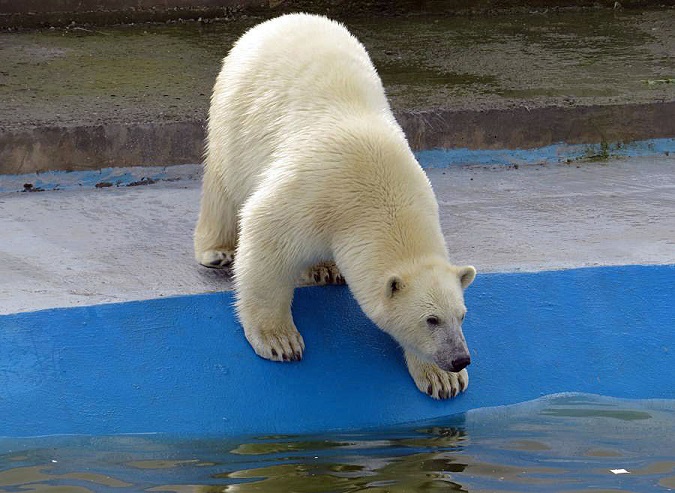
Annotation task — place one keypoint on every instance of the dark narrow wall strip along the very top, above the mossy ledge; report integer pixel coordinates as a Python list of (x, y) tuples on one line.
[(41, 13)]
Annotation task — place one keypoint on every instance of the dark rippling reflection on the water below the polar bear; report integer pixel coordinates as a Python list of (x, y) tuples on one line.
[(423, 461)]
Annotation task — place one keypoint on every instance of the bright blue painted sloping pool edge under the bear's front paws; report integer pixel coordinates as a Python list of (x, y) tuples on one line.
[(182, 365)]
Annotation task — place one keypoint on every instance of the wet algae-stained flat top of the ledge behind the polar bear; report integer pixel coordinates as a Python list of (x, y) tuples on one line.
[(164, 73)]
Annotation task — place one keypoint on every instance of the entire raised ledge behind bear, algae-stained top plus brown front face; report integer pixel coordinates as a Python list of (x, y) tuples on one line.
[(70, 94)]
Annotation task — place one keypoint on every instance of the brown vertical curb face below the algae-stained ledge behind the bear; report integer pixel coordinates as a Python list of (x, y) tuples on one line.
[(37, 149)]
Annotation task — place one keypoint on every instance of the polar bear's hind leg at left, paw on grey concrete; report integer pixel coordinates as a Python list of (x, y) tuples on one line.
[(215, 238)]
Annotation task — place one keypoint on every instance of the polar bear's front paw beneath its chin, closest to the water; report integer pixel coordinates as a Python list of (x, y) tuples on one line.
[(433, 381)]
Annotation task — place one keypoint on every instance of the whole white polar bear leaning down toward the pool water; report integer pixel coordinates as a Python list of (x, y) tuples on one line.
[(309, 176)]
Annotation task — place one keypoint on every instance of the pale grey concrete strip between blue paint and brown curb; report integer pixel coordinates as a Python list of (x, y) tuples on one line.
[(68, 248)]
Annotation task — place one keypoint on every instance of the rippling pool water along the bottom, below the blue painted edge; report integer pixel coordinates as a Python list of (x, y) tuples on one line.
[(562, 443)]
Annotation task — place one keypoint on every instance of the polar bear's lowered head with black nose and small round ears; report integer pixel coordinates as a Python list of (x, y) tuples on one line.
[(423, 309)]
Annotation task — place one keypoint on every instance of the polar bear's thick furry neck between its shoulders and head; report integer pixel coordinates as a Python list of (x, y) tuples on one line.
[(387, 215)]
